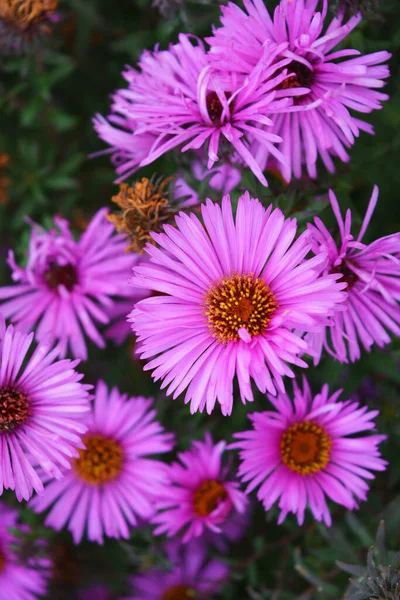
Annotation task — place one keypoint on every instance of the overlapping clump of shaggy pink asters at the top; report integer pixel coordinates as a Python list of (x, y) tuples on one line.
[(269, 90)]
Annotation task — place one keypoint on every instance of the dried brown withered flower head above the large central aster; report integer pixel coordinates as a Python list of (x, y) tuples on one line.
[(145, 208)]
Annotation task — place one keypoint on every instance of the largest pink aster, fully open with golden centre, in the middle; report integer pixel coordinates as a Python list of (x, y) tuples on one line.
[(230, 295)]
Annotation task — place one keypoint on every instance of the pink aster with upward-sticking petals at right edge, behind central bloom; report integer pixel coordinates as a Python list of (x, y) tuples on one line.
[(372, 275)]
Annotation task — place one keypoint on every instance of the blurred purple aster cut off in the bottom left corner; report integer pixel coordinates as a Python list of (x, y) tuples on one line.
[(18, 581)]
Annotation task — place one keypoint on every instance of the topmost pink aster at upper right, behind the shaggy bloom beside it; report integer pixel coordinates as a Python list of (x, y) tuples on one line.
[(341, 84)]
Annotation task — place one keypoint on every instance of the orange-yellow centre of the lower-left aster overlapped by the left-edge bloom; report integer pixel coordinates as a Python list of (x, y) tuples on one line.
[(101, 462)]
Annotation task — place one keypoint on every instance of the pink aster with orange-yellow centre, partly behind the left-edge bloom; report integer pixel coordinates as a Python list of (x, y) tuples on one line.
[(113, 483)]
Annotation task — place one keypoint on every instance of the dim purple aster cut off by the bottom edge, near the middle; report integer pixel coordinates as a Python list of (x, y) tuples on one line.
[(191, 573)]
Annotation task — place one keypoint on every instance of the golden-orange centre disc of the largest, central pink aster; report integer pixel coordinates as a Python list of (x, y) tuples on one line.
[(239, 302)]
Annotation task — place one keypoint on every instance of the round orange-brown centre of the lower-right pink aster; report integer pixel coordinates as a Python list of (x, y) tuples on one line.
[(305, 448)]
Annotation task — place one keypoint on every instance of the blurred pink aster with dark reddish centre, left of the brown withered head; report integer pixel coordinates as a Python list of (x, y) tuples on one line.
[(67, 287)]
